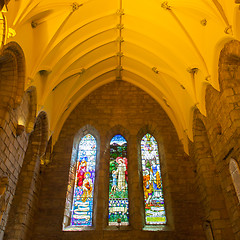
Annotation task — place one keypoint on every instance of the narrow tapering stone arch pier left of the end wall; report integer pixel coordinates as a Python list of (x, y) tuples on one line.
[(20, 218)]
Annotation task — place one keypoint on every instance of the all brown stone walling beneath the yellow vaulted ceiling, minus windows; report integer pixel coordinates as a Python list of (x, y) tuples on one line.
[(199, 193)]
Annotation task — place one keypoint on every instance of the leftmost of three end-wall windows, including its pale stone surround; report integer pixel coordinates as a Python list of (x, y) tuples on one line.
[(80, 203)]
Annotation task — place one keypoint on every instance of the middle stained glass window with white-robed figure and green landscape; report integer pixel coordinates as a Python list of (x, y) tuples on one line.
[(118, 187)]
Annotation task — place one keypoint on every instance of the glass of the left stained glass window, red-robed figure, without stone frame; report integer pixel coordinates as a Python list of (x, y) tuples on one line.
[(82, 207)]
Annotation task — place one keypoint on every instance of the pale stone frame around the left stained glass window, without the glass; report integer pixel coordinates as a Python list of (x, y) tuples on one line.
[(72, 170)]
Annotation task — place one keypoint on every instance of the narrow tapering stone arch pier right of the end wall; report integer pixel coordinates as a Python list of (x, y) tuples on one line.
[(208, 182)]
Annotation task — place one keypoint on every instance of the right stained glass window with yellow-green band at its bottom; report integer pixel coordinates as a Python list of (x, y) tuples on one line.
[(152, 182)]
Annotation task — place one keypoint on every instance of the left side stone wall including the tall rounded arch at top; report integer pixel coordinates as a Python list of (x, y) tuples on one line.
[(13, 107)]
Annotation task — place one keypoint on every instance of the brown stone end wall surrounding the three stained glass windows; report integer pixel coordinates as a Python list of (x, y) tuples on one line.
[(121, 108)]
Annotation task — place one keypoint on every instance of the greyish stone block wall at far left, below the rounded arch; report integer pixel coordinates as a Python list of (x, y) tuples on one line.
[(12, 152)]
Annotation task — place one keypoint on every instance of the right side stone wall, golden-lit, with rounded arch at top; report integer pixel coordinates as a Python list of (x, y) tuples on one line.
[(223, 123)]
